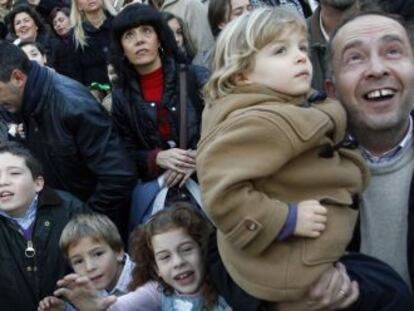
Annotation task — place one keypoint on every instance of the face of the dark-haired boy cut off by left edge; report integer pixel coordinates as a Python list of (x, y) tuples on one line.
[(17, 186)]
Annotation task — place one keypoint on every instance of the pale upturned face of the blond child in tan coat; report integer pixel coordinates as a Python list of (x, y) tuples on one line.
[(284, 65)]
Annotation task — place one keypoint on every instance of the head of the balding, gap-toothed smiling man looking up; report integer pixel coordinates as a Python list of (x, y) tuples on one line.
[(374, 73)]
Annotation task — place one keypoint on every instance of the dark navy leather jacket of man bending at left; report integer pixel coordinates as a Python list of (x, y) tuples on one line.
[(73, 137)]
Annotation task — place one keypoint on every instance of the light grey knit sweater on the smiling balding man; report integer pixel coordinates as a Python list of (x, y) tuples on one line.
[(384, 212)]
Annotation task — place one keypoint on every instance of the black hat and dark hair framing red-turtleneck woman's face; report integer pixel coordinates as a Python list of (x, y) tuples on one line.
[(132, 16)]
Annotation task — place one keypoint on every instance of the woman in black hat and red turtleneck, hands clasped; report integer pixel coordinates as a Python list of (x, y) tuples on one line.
[(146, 99)]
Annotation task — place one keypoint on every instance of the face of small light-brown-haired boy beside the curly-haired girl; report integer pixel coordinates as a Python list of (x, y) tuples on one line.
[(96, 260)]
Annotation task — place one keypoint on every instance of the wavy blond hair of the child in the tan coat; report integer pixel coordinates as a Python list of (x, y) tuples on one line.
[(240, 41)]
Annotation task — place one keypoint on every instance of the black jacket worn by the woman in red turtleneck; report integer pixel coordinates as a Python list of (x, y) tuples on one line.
[(136, 119)]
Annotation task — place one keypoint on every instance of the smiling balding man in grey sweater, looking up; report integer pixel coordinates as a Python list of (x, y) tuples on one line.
[(373, 76)]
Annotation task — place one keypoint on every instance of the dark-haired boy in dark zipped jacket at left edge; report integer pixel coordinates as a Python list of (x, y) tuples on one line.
[(32, 218)]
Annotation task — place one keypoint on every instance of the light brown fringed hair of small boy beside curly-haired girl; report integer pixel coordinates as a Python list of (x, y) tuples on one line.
[(93, 225)]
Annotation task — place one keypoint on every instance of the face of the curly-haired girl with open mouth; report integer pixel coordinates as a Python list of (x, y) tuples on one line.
[(178, 260)]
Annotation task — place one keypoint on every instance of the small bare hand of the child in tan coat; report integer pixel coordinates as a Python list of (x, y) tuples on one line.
[(311, 220)]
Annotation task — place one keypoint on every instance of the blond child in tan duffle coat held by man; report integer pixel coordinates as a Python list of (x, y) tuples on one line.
[(277, 177)]
